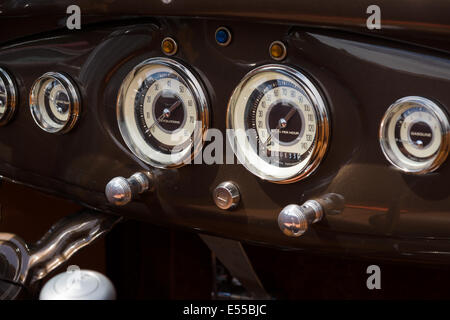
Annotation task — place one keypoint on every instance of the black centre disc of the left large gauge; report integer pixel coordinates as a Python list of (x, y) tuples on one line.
[(169, 110)]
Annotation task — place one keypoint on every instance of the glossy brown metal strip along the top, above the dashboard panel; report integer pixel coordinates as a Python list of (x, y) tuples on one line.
[(422, 22)]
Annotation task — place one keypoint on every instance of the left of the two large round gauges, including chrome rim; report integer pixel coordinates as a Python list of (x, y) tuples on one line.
[(162, 113)]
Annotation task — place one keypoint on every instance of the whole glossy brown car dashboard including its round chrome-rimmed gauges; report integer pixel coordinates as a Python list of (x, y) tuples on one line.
[(213, 71)]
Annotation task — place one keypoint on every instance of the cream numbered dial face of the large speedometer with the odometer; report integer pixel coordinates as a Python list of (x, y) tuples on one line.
[(283, 122)]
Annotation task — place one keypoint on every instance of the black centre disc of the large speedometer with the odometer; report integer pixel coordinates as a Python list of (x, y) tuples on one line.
[(285, 121)]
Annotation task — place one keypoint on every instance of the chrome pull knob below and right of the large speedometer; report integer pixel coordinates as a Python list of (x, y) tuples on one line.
[(294, 220)]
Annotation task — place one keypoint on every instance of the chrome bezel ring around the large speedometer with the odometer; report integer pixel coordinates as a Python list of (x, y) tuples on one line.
[(320, 141)]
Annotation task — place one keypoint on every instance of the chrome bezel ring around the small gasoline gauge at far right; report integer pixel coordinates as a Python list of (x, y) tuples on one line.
[(439, 114)]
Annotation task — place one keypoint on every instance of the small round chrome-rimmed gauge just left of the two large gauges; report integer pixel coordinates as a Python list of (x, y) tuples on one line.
[(54, 103)]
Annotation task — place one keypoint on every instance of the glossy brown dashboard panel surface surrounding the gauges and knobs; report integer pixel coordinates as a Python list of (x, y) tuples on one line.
[(386, 211)]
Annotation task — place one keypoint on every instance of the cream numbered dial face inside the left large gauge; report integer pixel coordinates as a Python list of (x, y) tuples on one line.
[(165, 111)]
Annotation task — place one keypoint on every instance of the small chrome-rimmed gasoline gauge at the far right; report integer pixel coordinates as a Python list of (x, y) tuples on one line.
[(414, 135)]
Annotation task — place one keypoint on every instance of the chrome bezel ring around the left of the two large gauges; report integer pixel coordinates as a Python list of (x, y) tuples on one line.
[(199, 94)]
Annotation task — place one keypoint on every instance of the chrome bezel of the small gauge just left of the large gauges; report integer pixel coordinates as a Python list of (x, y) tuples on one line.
[(72, 94)]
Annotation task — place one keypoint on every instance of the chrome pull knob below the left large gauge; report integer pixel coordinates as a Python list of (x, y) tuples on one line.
[(120, 191)]
